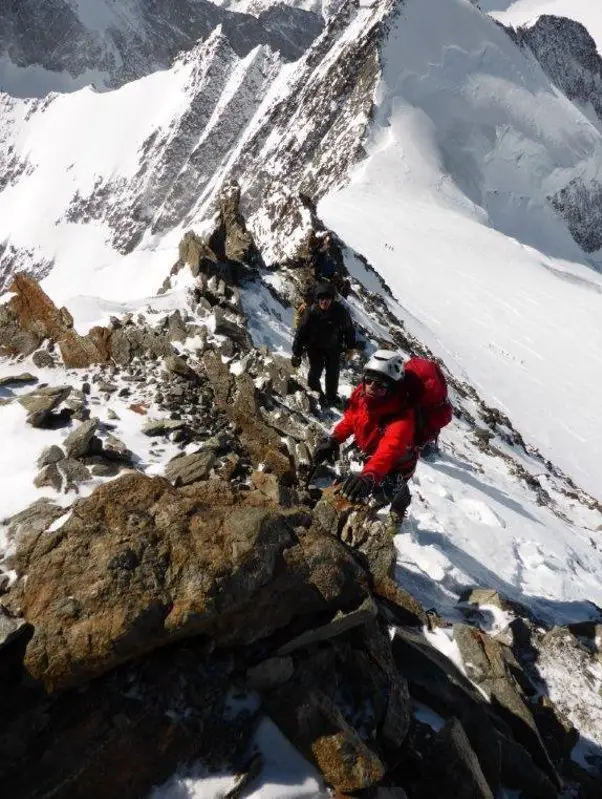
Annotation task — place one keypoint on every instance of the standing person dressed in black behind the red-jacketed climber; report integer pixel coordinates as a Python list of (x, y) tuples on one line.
[(324, 331)]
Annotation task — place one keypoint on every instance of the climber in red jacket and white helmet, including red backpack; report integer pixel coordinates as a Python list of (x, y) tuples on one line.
[(396, 409)]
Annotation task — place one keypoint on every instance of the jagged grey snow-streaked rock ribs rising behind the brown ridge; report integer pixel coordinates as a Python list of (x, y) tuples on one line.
[(329, 96)]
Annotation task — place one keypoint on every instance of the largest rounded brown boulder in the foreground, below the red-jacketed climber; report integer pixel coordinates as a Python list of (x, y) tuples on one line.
[(140, 564)]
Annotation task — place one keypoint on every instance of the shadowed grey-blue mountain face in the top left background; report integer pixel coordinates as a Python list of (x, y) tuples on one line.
[(119, 43)]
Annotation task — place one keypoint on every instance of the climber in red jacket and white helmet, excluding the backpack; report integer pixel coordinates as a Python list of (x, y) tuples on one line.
[(382, 420)]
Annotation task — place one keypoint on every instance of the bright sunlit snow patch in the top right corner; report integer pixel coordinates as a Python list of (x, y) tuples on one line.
[(525, 12)]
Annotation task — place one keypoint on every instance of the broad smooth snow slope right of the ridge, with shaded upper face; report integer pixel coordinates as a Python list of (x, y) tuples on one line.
[(518, 313)]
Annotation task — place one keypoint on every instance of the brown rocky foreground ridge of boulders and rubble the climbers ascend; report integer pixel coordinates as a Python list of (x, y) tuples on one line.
[(150, 599)]
